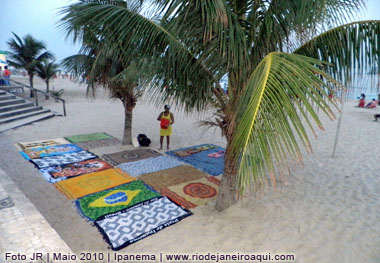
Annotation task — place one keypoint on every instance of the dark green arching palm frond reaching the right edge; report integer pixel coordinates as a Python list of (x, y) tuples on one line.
[(351, 48)]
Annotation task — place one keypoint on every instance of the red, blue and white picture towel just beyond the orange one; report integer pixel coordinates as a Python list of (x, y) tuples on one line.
[(55, 174)]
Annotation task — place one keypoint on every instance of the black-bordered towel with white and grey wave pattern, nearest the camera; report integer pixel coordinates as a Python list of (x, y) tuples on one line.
[(130, 225)]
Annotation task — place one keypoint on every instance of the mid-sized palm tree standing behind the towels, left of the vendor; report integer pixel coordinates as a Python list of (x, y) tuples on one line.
[(103, 67)]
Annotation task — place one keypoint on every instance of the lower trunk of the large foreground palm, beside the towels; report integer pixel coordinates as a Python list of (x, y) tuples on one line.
[(227, 191)]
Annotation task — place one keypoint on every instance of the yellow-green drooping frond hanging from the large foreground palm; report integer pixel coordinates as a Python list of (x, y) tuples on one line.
[(283, 88)]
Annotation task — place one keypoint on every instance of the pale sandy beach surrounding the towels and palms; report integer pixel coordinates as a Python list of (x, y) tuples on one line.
[(326, 211)]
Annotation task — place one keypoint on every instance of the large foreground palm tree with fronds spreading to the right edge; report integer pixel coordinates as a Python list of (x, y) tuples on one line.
[(281, 58)]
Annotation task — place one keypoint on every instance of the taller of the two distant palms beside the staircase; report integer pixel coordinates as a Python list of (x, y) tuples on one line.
[(26, 54)]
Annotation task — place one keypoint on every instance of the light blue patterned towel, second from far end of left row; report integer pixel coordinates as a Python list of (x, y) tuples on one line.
[(52, 150)]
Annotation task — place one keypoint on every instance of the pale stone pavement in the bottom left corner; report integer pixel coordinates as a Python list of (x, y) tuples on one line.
[(23, 230)]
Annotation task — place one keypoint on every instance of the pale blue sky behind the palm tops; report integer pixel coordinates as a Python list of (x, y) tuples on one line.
[(39, 18)]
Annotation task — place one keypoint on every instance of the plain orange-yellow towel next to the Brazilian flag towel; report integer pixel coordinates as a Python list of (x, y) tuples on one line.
[(92, 183)]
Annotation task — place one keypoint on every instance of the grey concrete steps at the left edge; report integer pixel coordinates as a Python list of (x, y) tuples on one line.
[(16, 112)]
